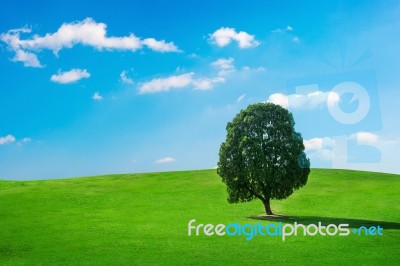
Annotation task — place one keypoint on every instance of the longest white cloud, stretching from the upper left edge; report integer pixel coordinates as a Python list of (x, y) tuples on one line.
[(86, 32)]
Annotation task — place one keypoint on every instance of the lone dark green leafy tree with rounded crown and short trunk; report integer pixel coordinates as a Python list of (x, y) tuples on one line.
[(263, 156)]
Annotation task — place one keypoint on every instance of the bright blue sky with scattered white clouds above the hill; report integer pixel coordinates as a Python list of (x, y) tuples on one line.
[(118, 87)]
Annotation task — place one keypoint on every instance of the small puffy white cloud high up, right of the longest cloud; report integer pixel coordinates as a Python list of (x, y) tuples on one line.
[(225, 36)]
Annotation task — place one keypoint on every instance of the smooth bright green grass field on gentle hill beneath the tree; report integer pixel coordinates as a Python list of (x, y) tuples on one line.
[(143, 219)]
